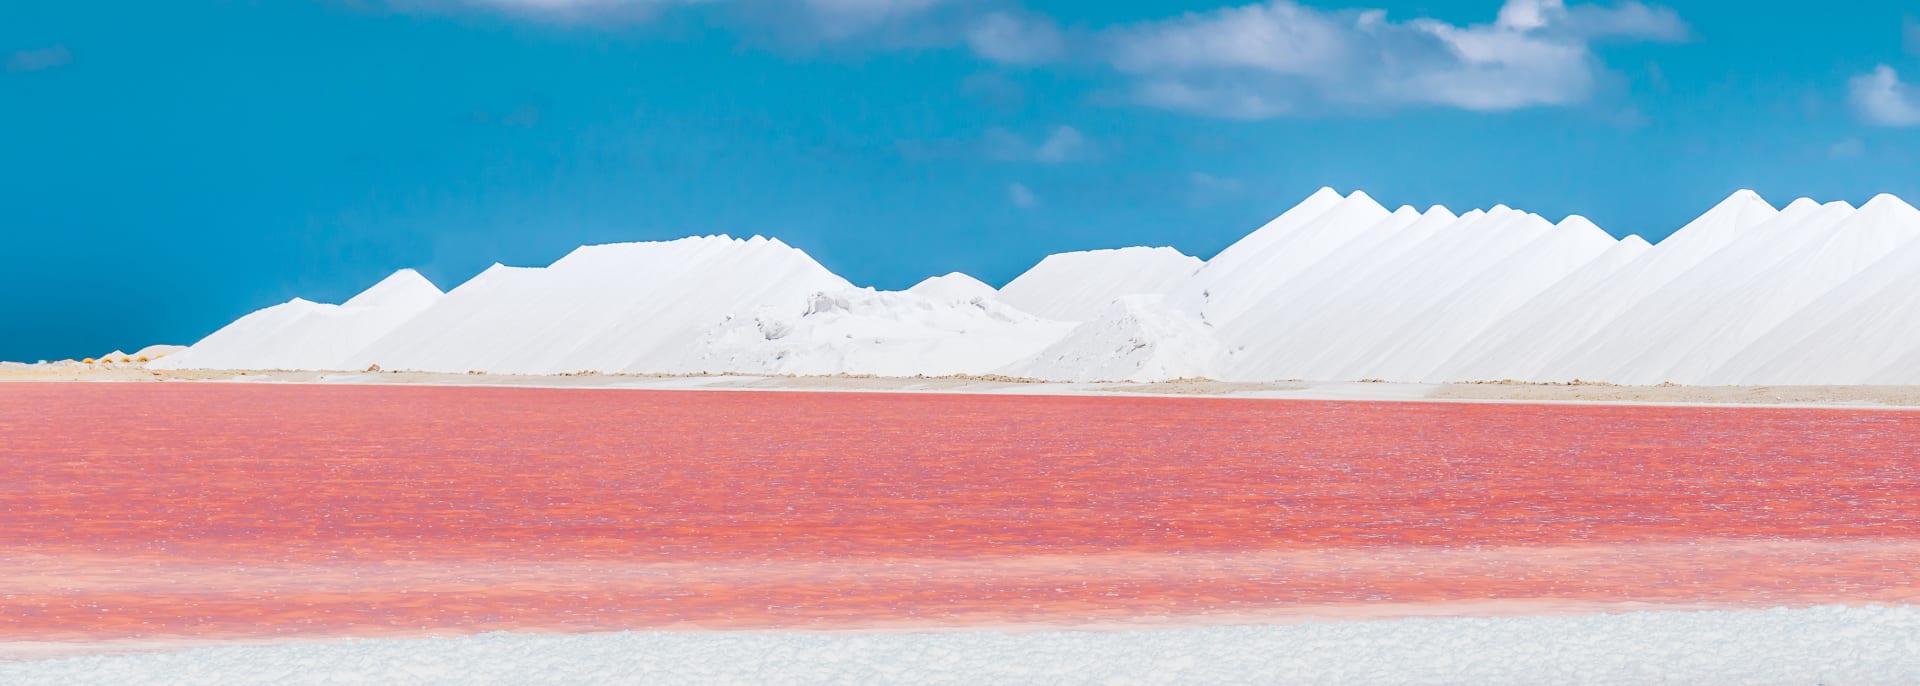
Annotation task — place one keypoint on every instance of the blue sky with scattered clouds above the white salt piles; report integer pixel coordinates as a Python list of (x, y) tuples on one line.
[(168, 166)]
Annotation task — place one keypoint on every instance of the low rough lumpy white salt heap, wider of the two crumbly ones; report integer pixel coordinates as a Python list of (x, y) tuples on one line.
[(861, 331)]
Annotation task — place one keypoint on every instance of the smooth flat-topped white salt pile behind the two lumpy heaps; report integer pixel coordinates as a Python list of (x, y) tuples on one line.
[(1078, 285)]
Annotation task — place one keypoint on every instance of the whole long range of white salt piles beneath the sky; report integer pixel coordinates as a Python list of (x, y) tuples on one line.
[(1335, 289)]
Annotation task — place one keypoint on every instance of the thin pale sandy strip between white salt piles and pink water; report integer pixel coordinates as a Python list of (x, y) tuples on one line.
[(1804, 397)]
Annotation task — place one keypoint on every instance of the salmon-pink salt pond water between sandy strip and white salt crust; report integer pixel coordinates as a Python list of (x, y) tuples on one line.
[(233, 510)]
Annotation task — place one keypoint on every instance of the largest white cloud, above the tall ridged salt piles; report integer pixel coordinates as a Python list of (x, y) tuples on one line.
[(1280, 59)]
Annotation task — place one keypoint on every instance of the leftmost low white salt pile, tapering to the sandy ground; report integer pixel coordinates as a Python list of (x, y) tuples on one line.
[(308, 335)]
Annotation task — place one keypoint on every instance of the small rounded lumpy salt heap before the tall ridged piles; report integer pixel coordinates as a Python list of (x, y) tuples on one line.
[(1134, 339)]
